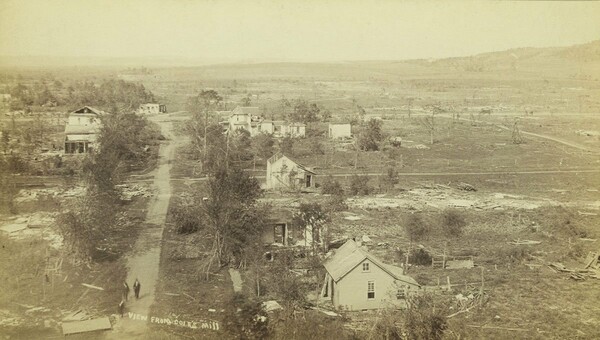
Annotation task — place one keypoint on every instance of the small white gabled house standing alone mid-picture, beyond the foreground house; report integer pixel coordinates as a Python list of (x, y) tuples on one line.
[(284, 173)]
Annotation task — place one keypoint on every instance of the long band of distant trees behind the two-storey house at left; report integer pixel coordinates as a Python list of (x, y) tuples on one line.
[(113, 95)]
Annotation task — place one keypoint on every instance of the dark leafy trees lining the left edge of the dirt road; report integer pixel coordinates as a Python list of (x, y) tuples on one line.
[(91, 225)]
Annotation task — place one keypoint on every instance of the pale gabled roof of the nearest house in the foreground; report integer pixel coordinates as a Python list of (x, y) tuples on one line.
[(350, 255)]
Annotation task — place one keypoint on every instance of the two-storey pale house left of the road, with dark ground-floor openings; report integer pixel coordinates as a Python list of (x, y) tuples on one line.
[(82, 129)]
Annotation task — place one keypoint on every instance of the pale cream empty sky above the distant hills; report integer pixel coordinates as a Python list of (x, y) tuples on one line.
[(289, 30)]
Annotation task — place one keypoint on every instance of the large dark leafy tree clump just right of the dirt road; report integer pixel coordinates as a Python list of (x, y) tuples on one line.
[(227, 210)]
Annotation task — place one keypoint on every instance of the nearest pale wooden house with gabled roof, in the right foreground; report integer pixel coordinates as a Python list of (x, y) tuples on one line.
[(357, 280)]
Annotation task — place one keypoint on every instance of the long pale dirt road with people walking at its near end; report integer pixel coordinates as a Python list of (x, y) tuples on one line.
[(143, 262)]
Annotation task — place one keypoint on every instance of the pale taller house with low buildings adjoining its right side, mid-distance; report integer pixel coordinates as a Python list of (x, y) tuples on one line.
[(248, 118)]
